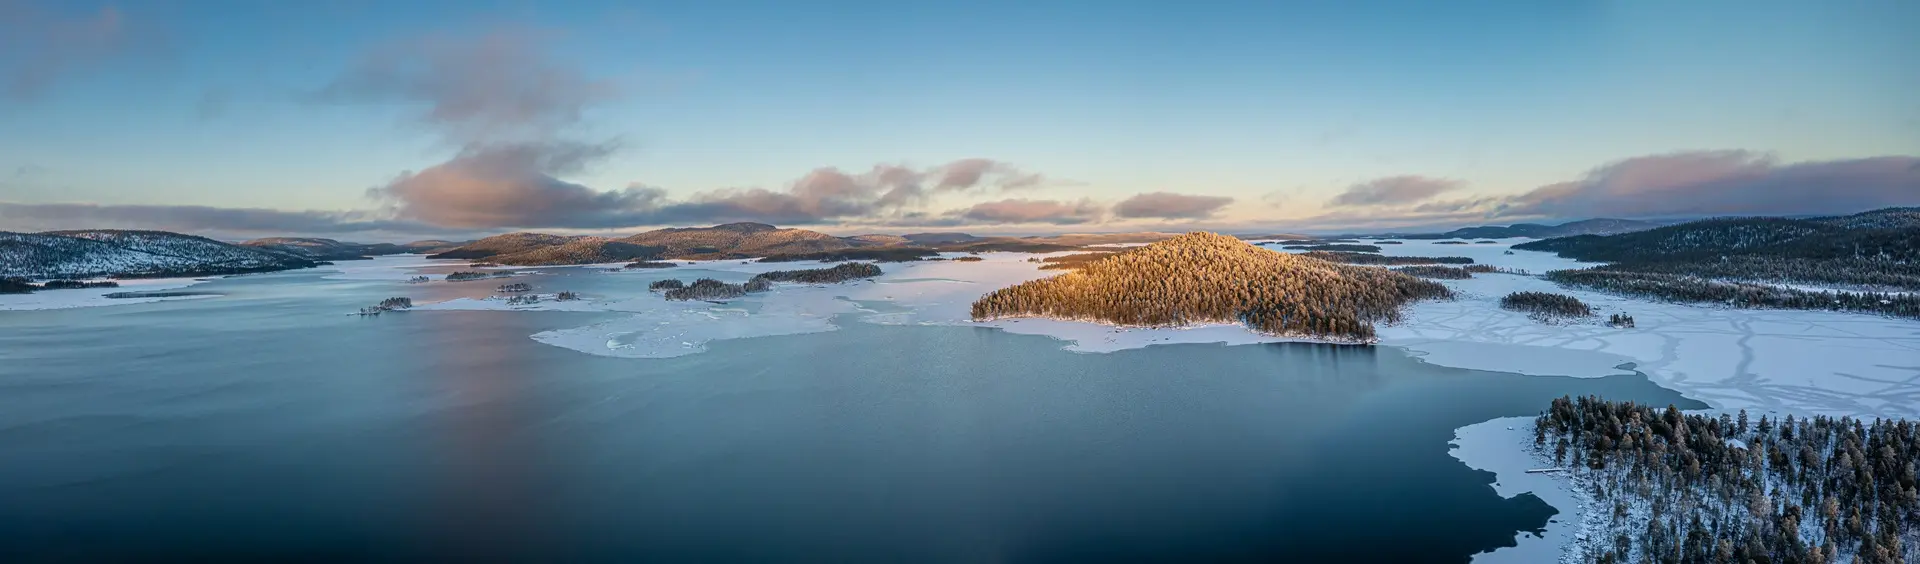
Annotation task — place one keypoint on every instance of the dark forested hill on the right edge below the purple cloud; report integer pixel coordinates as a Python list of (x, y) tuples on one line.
[(1877, 248)]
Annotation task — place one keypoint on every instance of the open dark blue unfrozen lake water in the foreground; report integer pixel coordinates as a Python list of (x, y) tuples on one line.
[(266, 425)]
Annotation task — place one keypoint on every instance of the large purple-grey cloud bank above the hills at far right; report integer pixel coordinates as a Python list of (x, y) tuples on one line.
[(1725, 183)]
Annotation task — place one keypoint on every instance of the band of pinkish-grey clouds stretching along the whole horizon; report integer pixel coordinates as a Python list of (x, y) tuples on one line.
[(1671, 185)]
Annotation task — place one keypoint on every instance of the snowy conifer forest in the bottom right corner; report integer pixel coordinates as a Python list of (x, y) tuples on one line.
[(1691, 488)]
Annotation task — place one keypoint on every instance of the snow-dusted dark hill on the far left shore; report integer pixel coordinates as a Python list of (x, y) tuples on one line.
[(133, 254)]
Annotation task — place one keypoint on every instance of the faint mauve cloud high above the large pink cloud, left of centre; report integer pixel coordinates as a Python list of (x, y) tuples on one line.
[(494, 87)]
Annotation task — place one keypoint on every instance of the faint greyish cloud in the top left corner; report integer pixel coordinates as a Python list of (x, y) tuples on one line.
[(39, 47)]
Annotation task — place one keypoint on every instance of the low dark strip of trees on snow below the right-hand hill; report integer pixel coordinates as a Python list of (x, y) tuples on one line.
[(1737, 294)]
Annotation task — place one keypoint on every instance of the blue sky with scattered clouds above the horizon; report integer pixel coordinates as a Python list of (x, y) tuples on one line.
[(410, 120)]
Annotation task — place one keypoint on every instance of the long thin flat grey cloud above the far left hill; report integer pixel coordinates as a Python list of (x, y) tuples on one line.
[(199, 220)]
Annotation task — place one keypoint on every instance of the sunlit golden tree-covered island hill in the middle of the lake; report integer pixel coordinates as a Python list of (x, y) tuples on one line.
[(1207, 277)]
